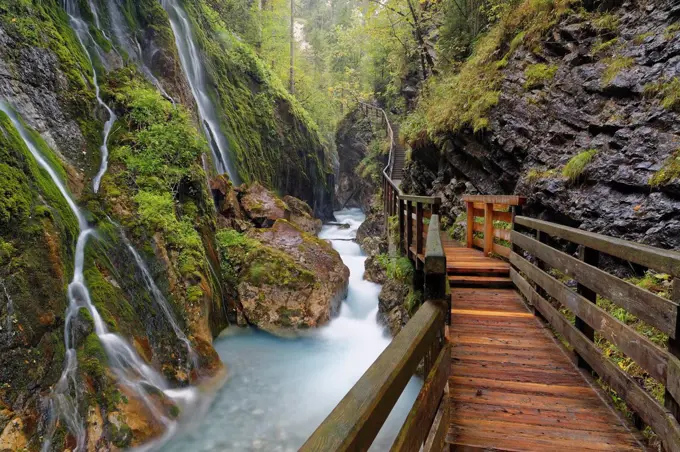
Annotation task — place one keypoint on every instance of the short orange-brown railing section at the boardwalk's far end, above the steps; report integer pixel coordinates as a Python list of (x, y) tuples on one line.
[(496, 213)]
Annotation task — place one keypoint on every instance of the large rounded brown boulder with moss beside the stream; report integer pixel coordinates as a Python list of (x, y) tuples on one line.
[(287, 280)]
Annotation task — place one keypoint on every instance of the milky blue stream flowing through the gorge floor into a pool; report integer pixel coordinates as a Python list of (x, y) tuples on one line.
[(281, 390)]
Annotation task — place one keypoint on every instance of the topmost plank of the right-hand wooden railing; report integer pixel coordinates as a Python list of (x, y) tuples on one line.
[(647, 256)]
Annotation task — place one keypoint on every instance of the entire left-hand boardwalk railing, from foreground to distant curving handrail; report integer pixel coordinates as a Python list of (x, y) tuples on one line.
[(355, 422)]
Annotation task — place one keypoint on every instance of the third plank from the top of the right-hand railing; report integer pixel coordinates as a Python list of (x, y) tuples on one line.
[(643, 351)]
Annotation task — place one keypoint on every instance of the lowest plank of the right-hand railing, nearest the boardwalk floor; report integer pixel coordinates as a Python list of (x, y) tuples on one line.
[(657, 417)]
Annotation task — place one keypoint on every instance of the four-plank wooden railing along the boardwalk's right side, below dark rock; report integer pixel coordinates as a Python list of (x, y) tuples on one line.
[(538, 286)]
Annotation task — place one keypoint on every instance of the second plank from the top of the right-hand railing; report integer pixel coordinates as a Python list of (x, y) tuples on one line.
[(657, 311)]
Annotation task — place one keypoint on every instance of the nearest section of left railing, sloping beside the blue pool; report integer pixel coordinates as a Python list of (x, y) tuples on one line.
[(356, 421)]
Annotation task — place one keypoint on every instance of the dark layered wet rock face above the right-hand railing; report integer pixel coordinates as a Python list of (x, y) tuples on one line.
[(589, 104)]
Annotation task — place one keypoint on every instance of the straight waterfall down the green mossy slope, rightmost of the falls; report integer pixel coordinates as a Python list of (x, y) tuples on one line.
[(192, 64)]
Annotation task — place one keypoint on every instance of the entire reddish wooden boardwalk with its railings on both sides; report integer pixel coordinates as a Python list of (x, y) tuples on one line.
[(509, 349)]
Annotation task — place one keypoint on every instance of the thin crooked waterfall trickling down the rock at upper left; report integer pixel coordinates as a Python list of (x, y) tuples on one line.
[(83, 33)]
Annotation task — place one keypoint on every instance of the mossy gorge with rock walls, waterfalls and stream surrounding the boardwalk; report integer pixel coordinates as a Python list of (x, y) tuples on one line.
[(196, 246)]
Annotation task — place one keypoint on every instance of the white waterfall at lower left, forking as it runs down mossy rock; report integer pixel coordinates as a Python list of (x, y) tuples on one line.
[(130, 370)]
